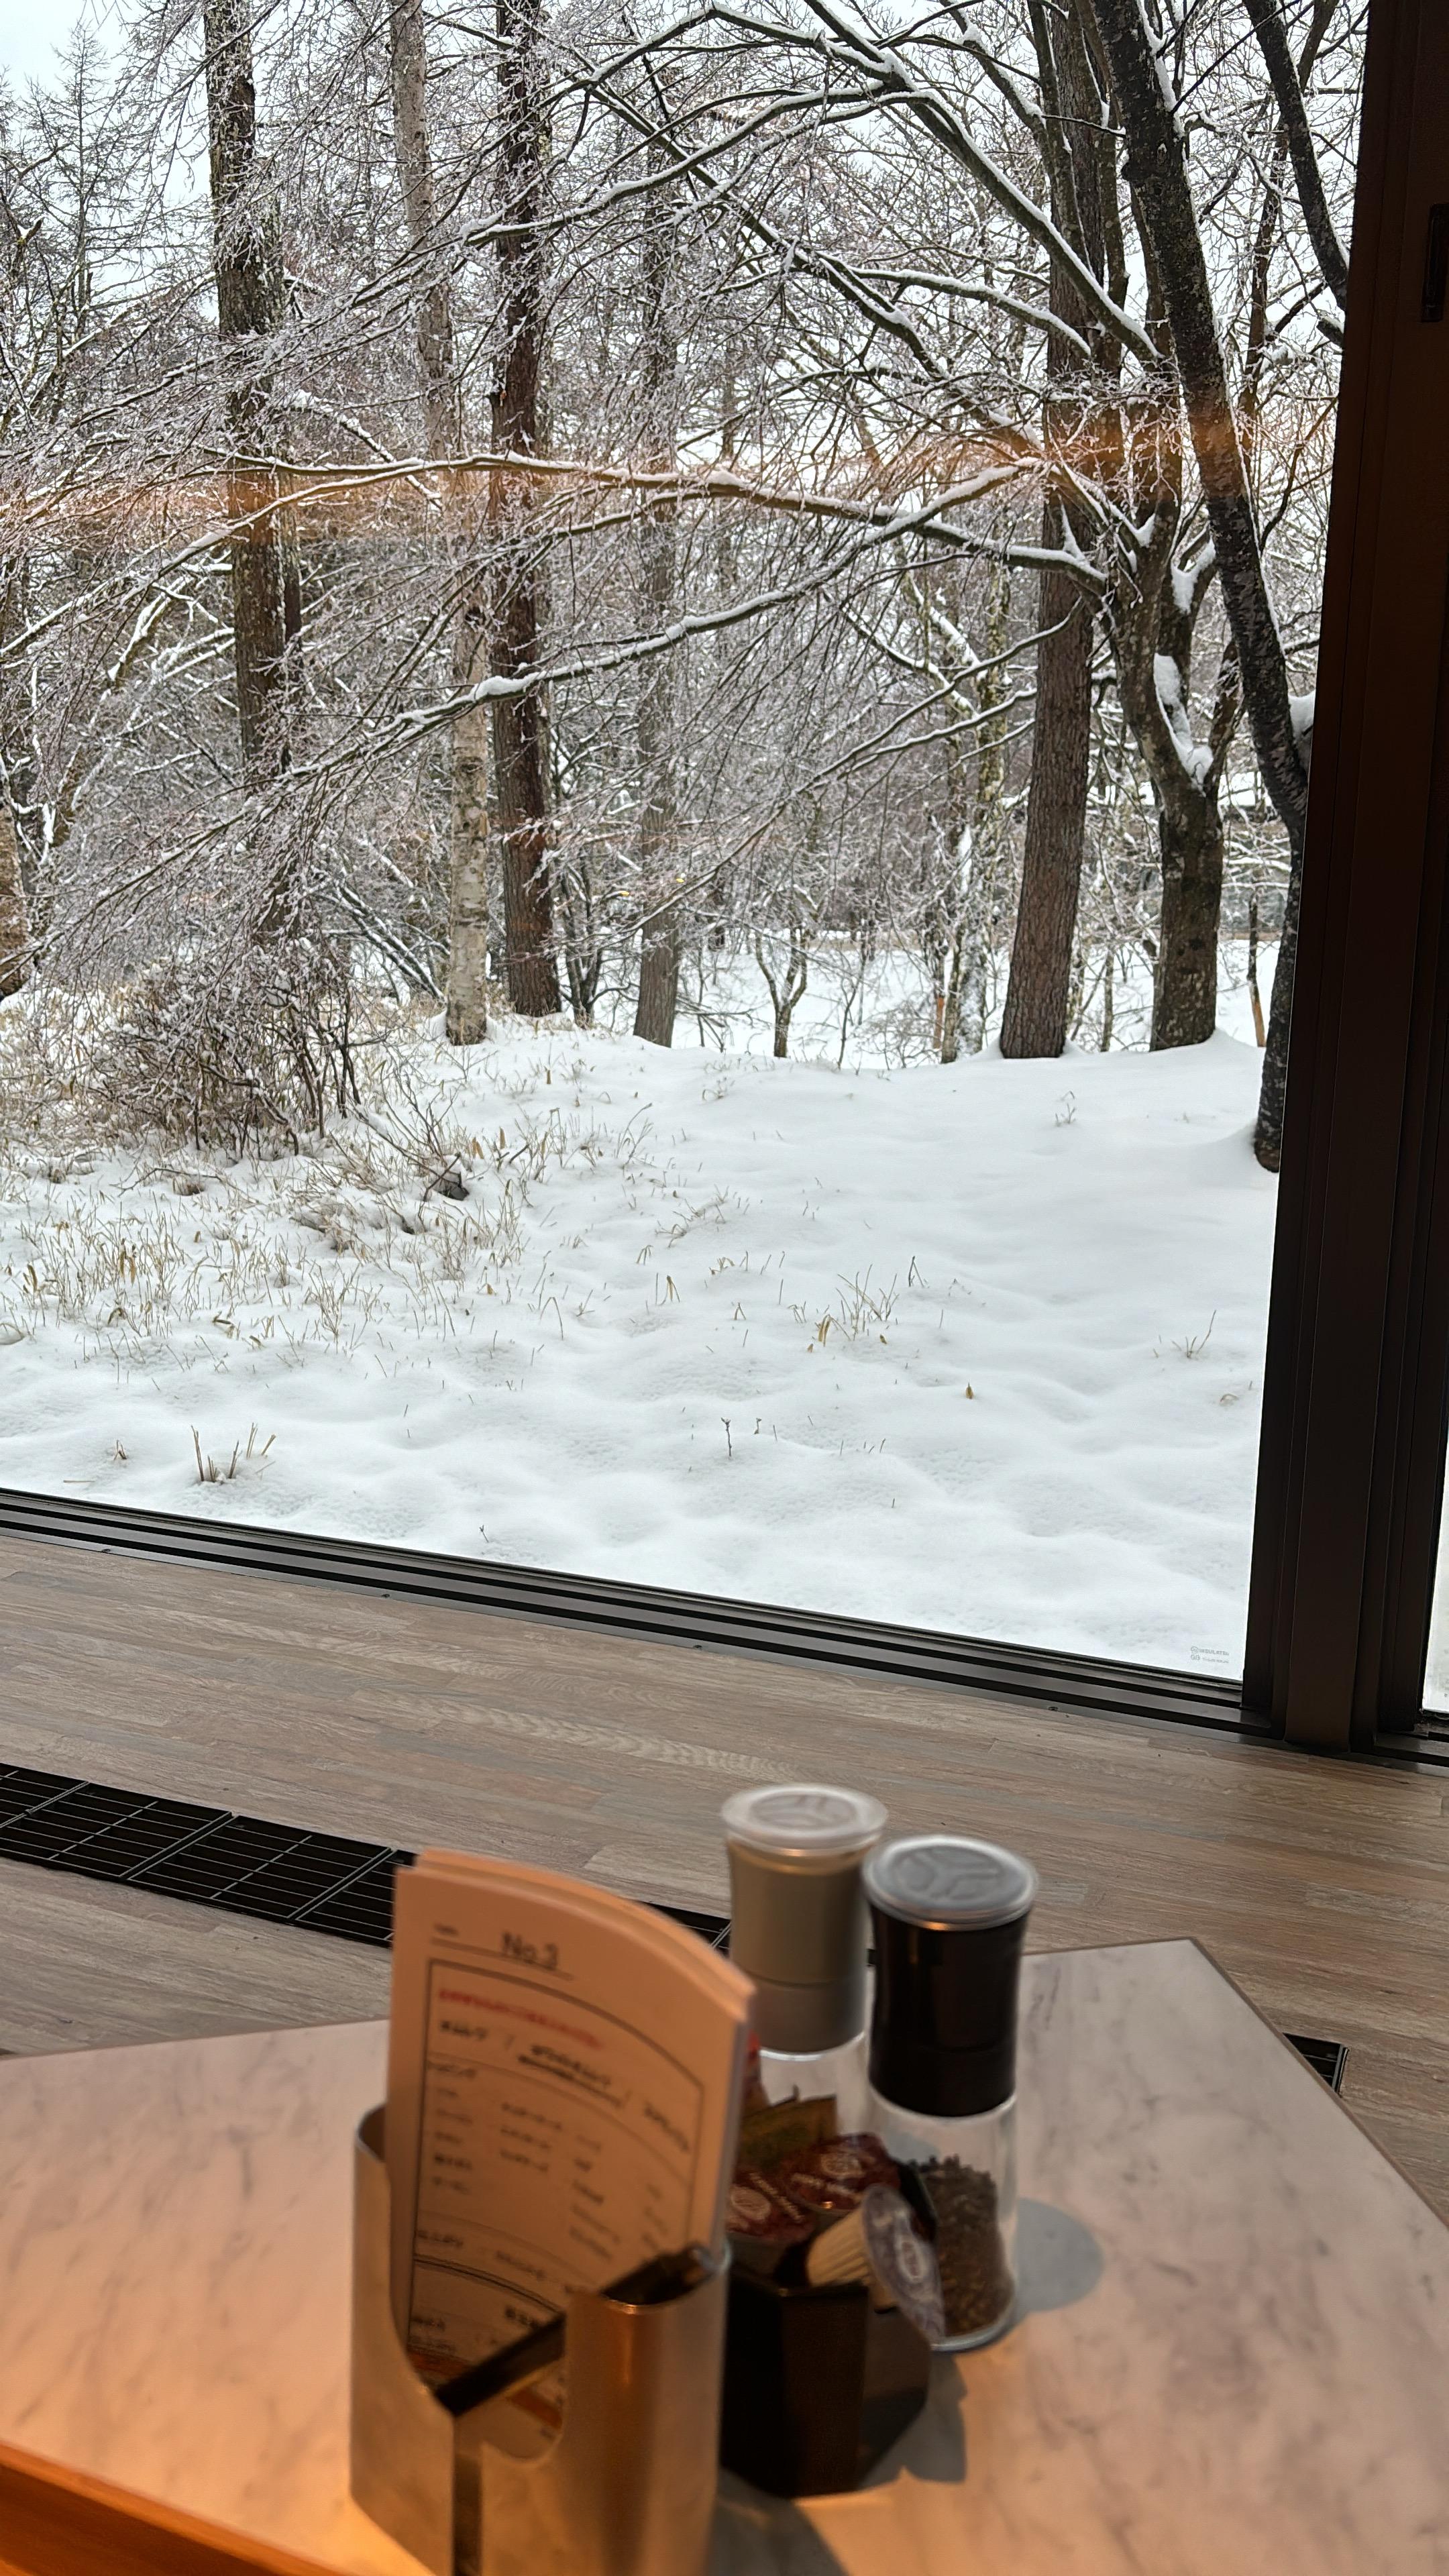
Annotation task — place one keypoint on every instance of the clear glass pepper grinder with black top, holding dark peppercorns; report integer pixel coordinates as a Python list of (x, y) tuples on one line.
[(950, 1920)]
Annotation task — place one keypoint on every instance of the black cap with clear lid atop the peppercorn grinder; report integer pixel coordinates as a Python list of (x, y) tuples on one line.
[(950, 1920)]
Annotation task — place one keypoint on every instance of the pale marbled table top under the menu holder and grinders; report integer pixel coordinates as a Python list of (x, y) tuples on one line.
[(1234, 2351)]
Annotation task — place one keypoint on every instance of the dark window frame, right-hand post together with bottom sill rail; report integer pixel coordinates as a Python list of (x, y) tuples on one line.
[(1357, 1361)]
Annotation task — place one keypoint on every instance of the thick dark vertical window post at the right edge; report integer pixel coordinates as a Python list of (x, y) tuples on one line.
[(1357, 1359)]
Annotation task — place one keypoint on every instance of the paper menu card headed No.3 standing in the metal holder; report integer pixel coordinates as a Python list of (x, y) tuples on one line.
[(563, 2098)]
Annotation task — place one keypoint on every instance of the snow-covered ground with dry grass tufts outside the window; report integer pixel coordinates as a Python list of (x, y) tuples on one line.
[(971, 1346)]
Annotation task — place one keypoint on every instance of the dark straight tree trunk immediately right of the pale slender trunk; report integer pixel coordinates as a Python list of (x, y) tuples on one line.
[(520, 604)]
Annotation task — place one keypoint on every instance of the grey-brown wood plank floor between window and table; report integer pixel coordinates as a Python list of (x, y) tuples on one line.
[(1321, 1887)]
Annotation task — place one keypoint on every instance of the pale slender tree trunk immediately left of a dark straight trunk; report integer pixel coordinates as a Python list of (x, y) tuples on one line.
[(465, 985)]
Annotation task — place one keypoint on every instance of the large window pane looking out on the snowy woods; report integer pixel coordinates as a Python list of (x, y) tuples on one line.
[(656, 689)]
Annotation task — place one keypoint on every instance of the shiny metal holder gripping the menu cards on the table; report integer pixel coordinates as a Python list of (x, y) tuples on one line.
[(628, 2487)]
